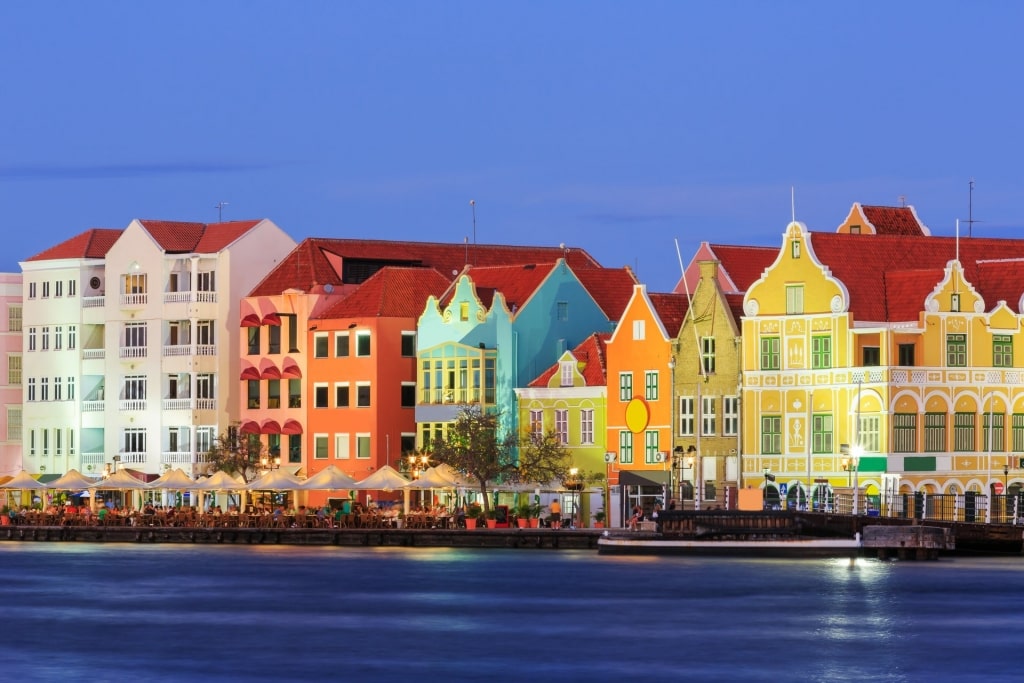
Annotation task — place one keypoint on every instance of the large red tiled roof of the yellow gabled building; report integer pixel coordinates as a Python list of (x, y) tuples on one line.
[(868, 267)]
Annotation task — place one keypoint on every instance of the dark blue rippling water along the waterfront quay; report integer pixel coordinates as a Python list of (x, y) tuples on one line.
[(172, 613)]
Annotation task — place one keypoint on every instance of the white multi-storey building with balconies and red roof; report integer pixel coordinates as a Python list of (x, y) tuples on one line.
[(132, 343)]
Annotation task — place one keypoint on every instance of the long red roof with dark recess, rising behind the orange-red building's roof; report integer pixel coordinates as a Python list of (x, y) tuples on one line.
[(319, 262)]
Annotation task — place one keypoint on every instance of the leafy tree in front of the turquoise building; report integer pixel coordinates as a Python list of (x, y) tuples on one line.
[(475, 448)]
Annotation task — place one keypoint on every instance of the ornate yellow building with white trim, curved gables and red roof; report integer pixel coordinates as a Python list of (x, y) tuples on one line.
[(891, 343)]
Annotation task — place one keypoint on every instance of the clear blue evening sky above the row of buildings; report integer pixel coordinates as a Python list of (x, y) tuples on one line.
[(615, 126)]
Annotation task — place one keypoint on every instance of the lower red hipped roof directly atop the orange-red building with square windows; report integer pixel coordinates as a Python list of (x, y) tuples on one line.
[(392, 292)]
